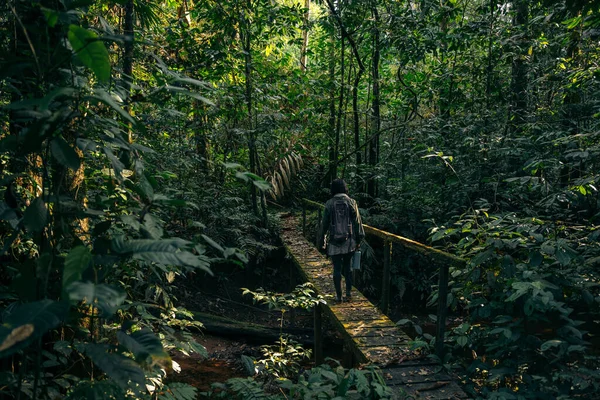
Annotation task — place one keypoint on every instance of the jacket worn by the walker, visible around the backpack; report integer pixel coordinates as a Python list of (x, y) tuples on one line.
[(357, 228)]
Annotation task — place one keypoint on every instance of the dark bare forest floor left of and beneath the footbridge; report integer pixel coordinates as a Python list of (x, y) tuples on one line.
[(222, 296)]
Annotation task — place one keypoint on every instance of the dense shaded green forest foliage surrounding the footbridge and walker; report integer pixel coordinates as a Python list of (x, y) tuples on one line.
[(147, 148)]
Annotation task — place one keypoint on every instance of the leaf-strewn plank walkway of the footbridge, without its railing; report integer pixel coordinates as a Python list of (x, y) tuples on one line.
[(372, 336)]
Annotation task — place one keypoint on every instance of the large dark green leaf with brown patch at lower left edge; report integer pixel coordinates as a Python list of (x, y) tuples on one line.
[(28, 322)]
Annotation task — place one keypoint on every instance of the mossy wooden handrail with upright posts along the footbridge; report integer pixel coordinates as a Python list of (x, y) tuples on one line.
[(440, 258)]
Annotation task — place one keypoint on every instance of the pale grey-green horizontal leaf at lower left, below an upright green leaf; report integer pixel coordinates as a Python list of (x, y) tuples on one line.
[(105, 297)]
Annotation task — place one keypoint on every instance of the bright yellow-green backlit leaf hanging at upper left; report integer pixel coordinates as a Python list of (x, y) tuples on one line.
[(90, 51)]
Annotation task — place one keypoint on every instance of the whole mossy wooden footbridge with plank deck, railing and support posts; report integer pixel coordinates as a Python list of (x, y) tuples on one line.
[(370, 335)]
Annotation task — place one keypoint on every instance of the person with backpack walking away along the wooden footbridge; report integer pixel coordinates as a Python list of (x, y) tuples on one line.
[(342, 223)]
